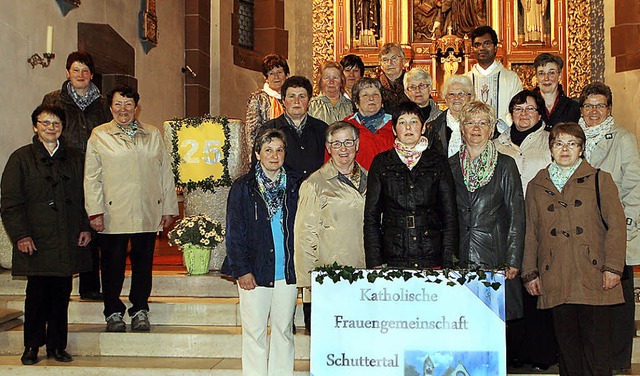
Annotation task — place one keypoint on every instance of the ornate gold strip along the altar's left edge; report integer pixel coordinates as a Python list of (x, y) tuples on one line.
[(323, 42)]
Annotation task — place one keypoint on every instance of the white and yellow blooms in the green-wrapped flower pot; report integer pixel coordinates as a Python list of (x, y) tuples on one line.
[(197, 230)]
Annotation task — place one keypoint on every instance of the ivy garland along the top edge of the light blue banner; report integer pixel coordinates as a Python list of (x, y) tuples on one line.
[(457, 276)]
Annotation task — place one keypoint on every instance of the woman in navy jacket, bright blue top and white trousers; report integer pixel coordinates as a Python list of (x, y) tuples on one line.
[(260, 215)]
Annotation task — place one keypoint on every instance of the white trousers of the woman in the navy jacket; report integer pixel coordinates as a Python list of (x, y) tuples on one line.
[(257, 307)]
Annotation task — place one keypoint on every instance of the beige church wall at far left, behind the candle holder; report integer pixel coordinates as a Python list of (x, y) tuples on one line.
[(23, 30)]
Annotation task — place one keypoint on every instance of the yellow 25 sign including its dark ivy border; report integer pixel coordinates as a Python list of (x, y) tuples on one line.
[(200, 150)]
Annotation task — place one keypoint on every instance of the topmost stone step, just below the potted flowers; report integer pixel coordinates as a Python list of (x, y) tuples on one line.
[(165, 283)]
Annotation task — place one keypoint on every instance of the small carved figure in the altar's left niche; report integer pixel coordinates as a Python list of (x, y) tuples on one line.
[(365, 18)]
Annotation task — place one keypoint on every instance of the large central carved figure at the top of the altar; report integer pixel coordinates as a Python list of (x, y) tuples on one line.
[(432, 18)]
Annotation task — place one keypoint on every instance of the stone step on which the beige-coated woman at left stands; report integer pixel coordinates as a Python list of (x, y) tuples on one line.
[(163, 341)]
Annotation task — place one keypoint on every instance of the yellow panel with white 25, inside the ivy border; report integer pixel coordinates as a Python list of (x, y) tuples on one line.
[(200, 151)]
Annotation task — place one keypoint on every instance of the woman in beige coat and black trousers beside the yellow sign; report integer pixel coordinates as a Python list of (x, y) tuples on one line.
[(129, 195)]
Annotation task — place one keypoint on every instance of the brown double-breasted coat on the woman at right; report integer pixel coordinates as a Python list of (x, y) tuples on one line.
[(566, 244)]
